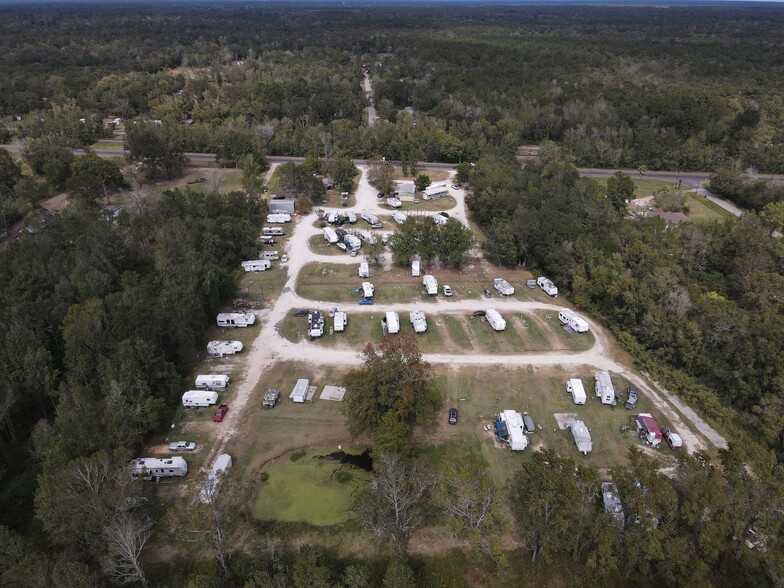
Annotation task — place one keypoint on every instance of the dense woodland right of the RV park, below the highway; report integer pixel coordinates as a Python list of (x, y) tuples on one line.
[(702, 298)]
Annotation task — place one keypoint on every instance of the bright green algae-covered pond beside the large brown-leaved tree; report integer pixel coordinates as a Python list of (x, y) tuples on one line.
[(308, 491)]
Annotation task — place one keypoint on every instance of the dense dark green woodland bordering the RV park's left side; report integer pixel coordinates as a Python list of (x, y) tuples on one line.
[(100, 321)]
